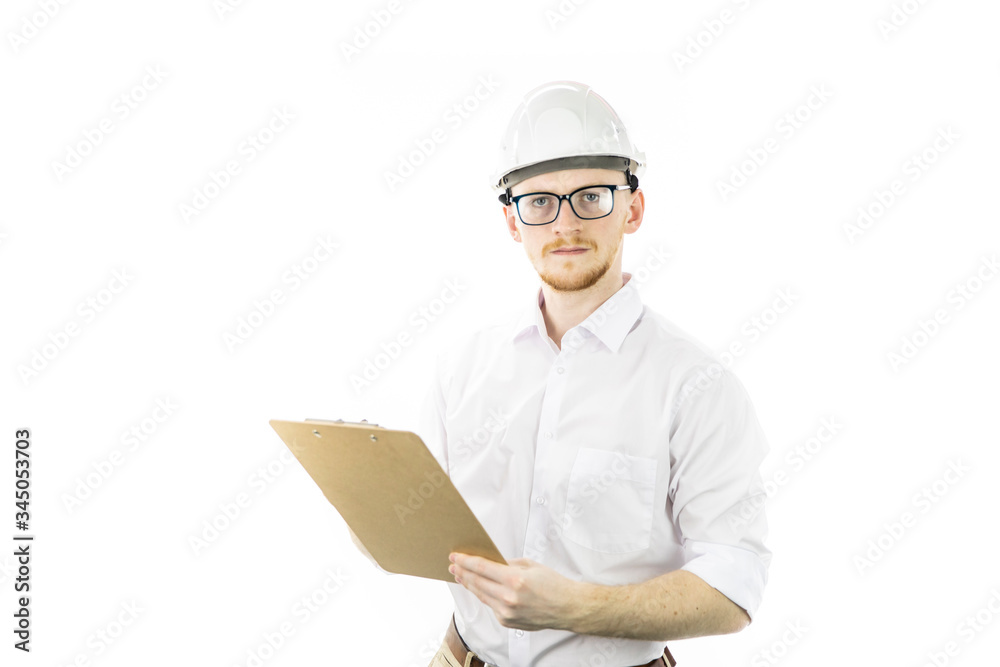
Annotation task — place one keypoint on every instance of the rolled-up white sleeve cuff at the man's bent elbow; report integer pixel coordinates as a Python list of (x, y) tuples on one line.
[(737, 573)]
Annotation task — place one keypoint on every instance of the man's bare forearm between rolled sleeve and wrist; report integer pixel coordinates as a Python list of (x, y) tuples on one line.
[(675, 605)]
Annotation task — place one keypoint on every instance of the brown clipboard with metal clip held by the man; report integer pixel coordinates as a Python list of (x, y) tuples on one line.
[(392, 493)]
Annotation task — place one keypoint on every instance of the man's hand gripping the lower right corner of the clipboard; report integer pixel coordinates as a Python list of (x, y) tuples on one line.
[(524, 594)]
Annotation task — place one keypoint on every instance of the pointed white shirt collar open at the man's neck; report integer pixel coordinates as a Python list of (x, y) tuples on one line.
[(610, 323)]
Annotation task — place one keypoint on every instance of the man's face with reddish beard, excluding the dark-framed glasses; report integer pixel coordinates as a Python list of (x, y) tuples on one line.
[(596, 243)]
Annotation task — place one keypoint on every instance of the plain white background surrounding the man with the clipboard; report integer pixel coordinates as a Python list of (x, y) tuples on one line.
[(190, 282)]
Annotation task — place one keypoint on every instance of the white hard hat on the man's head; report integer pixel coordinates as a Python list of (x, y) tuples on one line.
[(564, 125)]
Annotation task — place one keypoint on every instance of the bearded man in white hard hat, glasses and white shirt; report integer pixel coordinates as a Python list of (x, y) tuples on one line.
[(613, 461)]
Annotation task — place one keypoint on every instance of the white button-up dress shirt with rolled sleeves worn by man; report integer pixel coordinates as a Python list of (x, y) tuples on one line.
[(628, 453)]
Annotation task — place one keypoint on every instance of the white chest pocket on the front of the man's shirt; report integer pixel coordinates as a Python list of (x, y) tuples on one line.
[(609, 500)]
